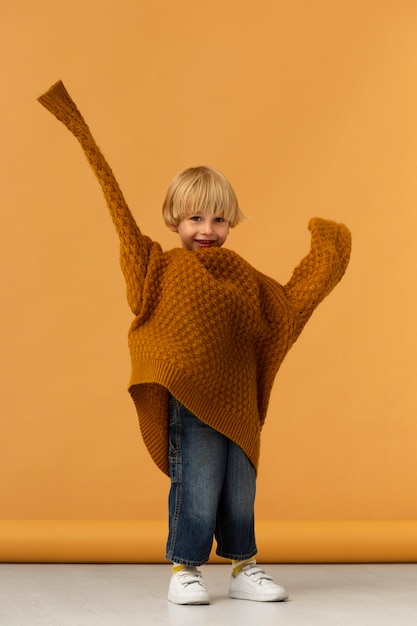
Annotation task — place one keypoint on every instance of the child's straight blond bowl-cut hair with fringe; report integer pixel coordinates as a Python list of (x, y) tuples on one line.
[(197, 190)]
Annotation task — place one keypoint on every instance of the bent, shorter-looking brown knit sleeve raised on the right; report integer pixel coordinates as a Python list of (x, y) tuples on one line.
[(320, 271)]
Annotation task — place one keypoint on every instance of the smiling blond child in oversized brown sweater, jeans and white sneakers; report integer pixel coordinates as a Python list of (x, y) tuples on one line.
[(207, 340)]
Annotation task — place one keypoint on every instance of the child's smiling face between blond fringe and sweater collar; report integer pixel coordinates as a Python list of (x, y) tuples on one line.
[(202, 230)]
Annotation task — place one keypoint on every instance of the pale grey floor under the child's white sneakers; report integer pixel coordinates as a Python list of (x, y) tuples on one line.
[(123, 595)]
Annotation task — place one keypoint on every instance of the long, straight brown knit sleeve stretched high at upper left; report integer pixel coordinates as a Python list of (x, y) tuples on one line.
[(135, 248)]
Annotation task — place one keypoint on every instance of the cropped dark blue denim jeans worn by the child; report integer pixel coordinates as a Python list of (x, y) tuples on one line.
[(212, 492)]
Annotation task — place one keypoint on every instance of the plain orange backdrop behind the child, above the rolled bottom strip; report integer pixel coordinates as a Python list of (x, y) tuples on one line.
[(310, 109)]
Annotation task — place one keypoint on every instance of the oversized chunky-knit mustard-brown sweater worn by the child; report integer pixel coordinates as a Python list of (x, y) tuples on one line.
[(208, 327)]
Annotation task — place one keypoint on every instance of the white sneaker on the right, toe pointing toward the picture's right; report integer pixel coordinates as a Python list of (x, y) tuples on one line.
[(253, 584)]
